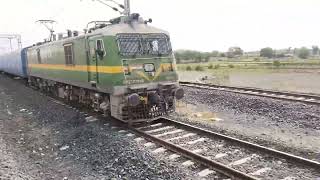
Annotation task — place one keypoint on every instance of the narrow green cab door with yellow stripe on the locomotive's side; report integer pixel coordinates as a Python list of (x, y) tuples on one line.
[(93, 75)]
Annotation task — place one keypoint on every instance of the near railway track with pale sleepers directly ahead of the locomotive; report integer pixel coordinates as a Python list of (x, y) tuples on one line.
[(217, 153)]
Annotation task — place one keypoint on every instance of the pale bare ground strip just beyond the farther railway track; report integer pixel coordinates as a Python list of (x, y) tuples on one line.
[(281, 79)]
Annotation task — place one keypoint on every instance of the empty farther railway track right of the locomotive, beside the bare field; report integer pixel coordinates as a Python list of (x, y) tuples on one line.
[(283, 95)]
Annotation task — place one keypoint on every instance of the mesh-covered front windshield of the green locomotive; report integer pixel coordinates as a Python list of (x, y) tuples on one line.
[(144, 44)]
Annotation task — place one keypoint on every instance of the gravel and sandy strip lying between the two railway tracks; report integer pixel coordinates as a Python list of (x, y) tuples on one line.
[(288, 126)]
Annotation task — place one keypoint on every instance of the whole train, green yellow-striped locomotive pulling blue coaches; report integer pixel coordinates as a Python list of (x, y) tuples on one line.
[(124, 68)]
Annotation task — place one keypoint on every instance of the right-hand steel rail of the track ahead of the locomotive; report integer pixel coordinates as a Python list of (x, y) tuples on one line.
[(279, 154)]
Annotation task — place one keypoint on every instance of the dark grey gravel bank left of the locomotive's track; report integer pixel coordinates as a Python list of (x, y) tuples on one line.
[(44, 139)]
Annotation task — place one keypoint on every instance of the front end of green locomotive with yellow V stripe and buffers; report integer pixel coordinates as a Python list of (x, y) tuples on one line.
[(150, 81)]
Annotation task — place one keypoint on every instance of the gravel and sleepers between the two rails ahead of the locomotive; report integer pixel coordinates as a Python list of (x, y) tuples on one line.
[(241, 158)]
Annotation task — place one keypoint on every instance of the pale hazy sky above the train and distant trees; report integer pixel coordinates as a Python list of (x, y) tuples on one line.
[(203, 25)]
